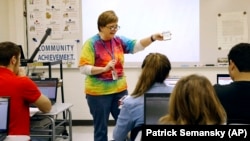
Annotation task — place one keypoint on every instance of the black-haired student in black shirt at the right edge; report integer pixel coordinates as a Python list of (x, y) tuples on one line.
[(235, 97)]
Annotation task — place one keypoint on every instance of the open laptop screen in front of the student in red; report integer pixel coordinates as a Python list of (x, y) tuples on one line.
[(48, 87)]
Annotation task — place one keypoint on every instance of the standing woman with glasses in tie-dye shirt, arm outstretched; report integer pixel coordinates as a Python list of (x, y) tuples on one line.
[(102, 60)]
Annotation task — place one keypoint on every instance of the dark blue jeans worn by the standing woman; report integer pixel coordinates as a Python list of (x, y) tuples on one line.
[(100, 108)]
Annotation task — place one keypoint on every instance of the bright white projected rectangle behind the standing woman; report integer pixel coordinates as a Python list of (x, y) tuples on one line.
[(142, 18)]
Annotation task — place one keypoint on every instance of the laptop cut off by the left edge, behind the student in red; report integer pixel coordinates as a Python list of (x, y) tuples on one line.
[(4, 117)]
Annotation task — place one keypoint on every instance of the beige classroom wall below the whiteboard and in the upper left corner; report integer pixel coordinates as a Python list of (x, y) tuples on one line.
[(13, 28)]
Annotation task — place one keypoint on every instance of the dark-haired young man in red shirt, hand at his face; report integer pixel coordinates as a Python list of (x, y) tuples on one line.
[(21, 89)]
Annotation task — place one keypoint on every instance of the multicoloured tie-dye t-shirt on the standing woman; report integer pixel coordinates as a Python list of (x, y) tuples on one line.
[(97, 52)]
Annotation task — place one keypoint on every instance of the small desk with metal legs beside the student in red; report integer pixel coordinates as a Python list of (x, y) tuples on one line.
[(52, 122)]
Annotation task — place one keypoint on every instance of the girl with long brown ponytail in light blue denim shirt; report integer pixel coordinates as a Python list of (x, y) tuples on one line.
[(155, 69)]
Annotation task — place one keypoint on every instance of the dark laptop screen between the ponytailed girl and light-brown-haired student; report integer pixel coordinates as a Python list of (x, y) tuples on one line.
[(155, 106)]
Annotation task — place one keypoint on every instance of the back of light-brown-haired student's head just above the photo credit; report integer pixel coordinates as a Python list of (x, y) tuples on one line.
[(194, 102)]
